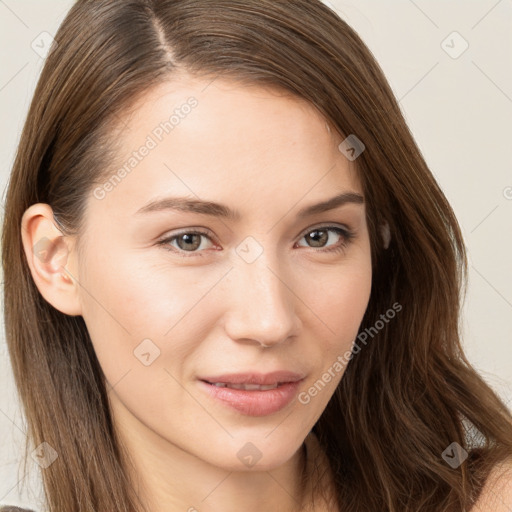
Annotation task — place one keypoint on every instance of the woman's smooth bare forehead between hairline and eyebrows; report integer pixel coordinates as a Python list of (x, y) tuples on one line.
[(227, 142)]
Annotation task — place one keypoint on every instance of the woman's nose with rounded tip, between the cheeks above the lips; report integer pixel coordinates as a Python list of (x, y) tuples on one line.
[(260, 306)]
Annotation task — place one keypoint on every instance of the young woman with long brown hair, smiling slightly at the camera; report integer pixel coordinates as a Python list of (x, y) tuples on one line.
[(304, 353)]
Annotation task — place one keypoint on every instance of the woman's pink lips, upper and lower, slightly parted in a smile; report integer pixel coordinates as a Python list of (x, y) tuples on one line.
[(254, 403)]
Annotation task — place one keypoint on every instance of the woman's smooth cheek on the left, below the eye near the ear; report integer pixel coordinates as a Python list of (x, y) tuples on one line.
[(132, 309)]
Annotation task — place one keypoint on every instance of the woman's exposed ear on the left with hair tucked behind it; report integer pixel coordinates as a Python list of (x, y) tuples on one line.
[(49, 254)]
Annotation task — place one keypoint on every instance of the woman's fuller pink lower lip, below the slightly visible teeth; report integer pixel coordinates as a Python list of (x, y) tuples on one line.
[(255, 403)]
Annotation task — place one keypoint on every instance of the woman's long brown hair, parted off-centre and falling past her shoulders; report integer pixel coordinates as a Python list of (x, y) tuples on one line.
[(405, 397)]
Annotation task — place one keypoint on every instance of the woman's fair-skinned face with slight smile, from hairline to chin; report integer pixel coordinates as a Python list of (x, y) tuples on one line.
[(175, 294)]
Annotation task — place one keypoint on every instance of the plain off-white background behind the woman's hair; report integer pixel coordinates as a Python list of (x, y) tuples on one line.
[(459, 110)]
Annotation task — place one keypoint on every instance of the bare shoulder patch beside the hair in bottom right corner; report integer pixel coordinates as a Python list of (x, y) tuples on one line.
[(496, 495)]
